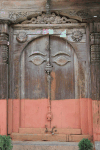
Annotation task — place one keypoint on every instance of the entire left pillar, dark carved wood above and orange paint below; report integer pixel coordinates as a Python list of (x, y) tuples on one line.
[(4, 48)]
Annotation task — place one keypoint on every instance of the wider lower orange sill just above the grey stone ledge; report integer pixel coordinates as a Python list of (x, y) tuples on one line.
[(48, 137)]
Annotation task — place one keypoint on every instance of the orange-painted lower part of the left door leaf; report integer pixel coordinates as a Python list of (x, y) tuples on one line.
[(33, 113)]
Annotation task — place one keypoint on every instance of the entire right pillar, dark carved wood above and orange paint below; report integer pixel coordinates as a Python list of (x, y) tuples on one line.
[(95, 76)]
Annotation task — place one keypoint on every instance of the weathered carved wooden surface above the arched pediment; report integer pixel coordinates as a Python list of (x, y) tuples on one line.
[(77, 8)]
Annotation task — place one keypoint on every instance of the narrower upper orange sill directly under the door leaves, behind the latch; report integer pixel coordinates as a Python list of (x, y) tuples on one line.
[(55, 130)]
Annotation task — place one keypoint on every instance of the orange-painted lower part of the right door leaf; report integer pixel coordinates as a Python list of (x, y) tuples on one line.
[(66, 113)]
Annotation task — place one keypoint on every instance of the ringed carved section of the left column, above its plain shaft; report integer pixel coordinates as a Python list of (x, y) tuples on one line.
[(4, 38)]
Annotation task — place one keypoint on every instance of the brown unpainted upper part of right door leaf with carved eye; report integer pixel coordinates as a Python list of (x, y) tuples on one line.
[(62, 59)]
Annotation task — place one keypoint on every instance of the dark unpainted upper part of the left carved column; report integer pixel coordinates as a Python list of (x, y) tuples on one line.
[(4, 48)]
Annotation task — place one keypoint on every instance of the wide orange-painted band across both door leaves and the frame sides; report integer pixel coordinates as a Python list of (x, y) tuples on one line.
[(70, 113)]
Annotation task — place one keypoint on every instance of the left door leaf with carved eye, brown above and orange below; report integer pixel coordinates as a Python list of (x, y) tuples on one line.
[(34, 86)]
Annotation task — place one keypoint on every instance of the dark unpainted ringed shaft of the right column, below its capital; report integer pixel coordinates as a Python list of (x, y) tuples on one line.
[(95, 65)]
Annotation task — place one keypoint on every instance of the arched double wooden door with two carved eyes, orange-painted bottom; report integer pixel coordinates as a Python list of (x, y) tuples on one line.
[(47, 78)]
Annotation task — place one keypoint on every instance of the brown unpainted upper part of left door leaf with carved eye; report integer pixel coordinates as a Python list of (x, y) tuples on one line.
[(33, 77)]
